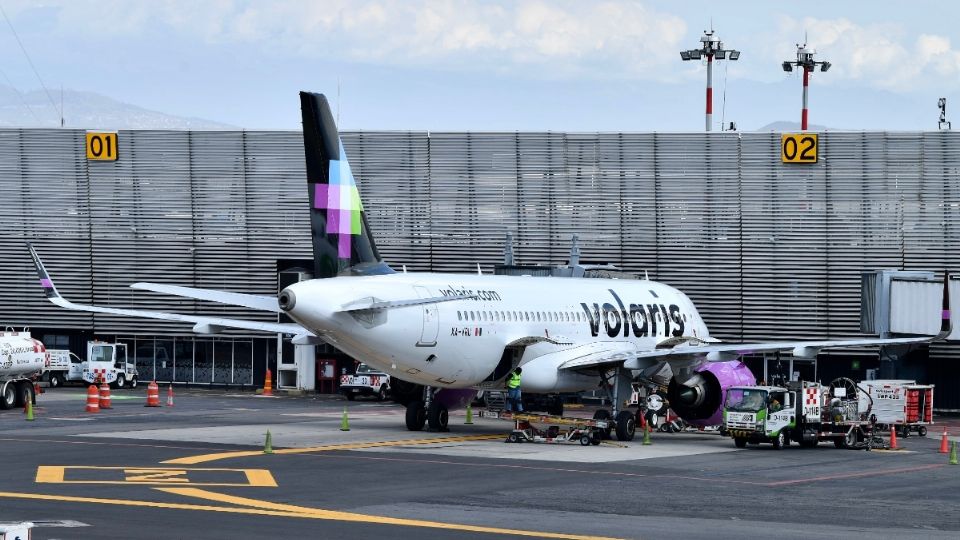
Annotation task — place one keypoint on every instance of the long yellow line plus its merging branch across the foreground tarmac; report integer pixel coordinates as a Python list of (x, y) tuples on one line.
[(265, 508)]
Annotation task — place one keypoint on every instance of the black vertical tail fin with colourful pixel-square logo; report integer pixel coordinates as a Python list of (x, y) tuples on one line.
[(342, 243)]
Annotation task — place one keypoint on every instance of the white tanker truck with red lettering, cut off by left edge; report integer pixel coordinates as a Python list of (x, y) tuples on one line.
[(21, 359)]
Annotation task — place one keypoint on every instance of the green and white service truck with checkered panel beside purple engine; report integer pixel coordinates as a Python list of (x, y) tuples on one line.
[(803, 412)]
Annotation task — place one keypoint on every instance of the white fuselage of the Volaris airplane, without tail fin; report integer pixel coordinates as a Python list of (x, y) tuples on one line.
[(459, 343)]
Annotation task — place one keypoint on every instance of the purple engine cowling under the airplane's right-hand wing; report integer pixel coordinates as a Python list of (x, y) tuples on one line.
[(699, 398)]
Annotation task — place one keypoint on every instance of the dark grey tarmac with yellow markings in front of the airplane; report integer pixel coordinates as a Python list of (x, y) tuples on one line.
[(198, 470)]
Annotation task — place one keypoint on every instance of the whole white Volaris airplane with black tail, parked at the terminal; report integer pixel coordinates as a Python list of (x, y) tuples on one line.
[(448, 335)]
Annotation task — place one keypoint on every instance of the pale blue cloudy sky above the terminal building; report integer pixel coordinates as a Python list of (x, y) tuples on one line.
[(537, 65)]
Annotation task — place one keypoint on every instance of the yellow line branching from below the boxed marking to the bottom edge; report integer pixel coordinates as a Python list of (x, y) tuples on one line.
[(302, 511)]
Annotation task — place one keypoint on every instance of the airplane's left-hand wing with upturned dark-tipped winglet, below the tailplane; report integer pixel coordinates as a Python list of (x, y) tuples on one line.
[(201, 324)]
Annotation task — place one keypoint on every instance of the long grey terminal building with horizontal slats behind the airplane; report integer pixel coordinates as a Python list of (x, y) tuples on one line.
[(766, 249)]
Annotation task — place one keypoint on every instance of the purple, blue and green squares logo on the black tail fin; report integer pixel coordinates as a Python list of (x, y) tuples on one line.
[(341, 199)]
